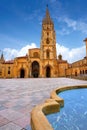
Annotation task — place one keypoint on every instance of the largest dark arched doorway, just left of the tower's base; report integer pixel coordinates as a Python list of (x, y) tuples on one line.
[(35, 69)]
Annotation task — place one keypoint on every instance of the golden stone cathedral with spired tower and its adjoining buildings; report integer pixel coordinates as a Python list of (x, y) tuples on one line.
[(43, 62)]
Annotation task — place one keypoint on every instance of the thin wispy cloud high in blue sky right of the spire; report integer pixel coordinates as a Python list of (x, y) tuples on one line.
[(69, 25)]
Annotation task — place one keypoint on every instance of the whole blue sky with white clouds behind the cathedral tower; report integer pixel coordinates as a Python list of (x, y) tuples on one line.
[(21, 21)]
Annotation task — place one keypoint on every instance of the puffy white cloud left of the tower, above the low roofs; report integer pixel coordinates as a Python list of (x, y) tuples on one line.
[(12, 53)]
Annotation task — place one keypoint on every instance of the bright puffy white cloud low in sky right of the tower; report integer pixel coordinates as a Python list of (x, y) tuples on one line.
[(71, 55)]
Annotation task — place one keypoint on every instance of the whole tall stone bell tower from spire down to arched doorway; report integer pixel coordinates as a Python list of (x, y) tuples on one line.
[(48, 54)]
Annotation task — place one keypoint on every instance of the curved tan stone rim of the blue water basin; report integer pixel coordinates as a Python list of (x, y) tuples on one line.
[(38, 114)]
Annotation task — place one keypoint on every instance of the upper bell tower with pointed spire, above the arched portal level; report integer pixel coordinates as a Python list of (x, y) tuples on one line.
[(48, 39)]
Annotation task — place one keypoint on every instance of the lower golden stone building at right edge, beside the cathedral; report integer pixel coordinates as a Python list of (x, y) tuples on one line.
[(78, 69)]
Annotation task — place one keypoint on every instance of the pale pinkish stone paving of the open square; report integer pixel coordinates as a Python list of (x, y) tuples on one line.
[(19, 96)]
